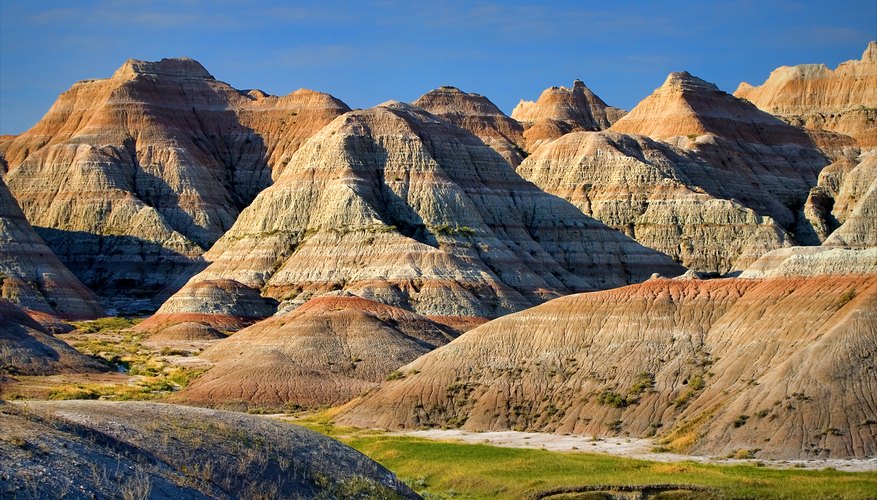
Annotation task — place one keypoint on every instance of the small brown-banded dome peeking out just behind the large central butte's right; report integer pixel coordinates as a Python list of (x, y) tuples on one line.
[(478, 115)]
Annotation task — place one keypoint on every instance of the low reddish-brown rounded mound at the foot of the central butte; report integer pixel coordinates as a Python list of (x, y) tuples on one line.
[(325, 352)]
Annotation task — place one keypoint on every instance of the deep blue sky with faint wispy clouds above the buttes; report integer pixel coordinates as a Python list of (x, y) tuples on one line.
[(368, 52)]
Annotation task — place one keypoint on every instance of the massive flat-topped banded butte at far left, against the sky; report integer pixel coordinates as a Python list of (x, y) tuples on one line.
[(129, 179)]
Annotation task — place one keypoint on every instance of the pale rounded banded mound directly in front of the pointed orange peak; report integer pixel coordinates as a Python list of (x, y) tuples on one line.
[(665, 197)]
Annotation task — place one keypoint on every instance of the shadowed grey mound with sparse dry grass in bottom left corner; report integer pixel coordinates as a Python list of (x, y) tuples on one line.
[(149, 450)]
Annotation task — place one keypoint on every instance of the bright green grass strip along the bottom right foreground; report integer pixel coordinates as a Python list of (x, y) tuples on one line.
[(439, 469)]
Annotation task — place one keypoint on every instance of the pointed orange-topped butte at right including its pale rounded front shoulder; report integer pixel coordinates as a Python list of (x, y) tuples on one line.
[(715, 184)]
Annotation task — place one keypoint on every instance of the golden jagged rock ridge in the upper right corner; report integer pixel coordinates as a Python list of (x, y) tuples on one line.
[(843, 100)]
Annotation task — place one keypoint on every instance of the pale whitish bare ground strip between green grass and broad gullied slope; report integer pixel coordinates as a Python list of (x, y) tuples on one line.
[(623, 447)]
